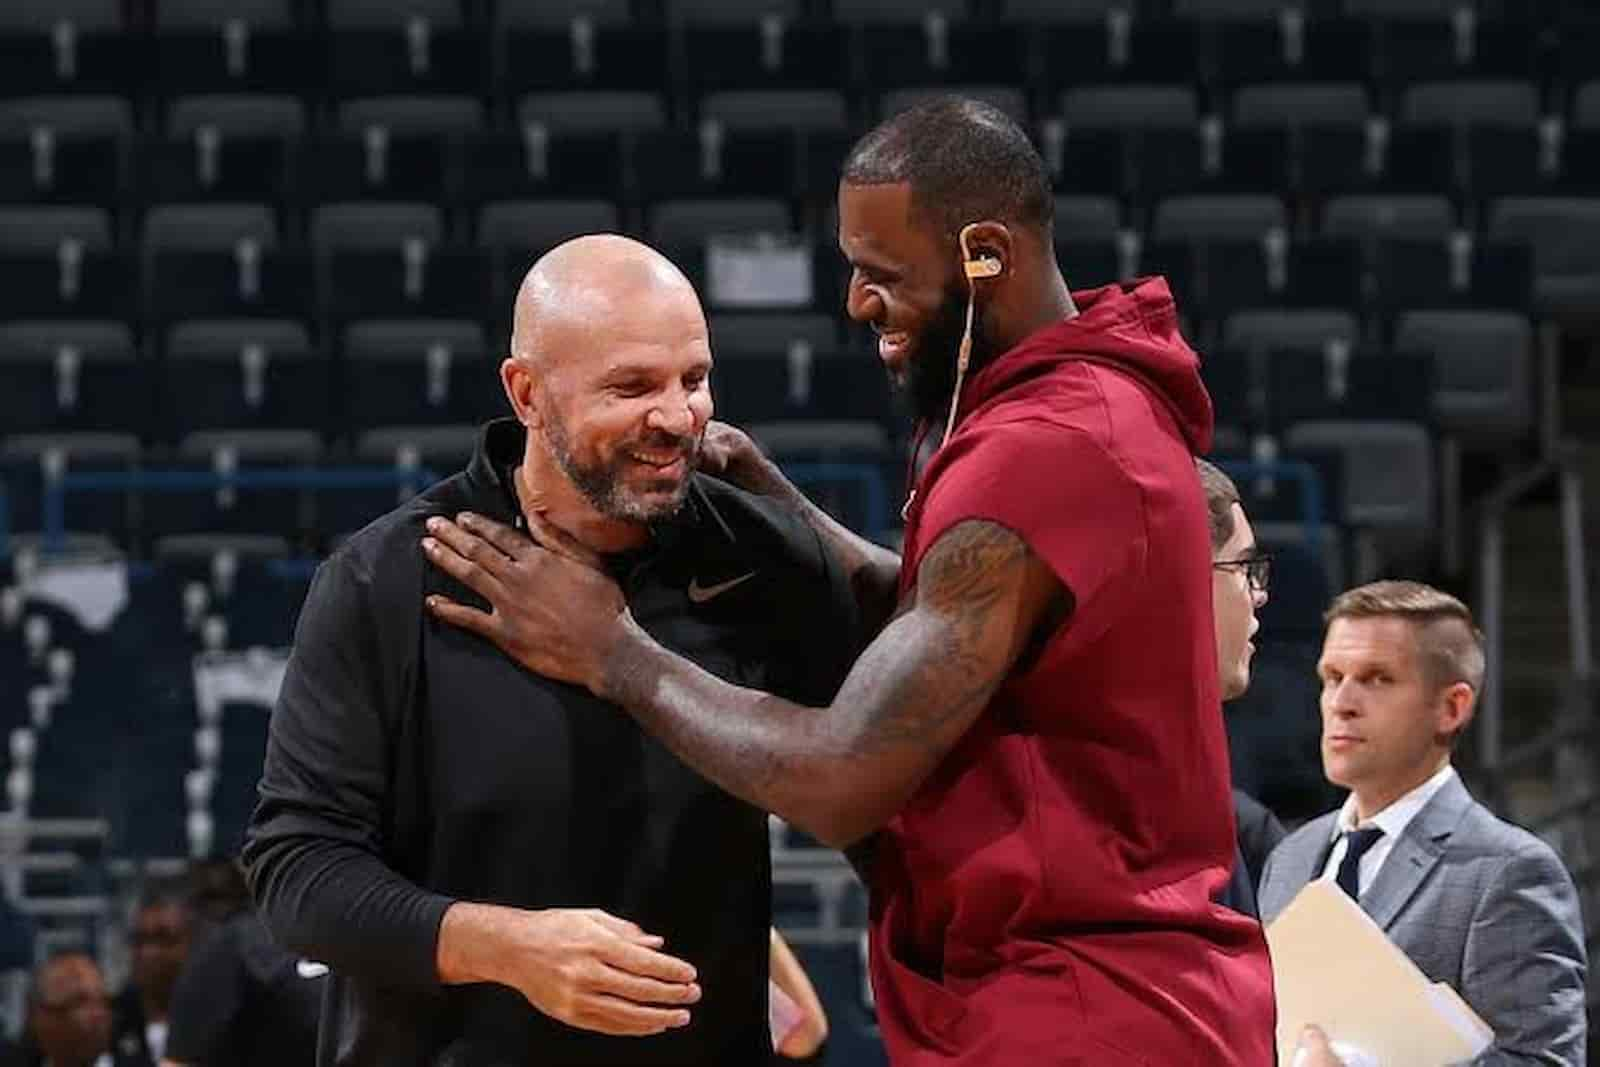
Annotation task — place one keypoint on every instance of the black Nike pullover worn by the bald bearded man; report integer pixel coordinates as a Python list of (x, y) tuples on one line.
[(412, 765)]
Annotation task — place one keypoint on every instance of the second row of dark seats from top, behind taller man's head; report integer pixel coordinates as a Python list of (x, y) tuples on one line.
[(255, 153)]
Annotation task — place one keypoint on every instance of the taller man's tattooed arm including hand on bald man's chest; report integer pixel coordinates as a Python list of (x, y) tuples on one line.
[(980, 604)]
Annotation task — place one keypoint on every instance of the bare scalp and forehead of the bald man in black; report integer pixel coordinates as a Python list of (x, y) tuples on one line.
[(591, 289)]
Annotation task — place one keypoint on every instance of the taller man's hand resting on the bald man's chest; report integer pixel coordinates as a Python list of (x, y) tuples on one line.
[(554, 610)]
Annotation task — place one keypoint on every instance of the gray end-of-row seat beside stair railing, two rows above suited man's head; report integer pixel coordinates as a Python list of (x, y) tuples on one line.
[(1482, 369)]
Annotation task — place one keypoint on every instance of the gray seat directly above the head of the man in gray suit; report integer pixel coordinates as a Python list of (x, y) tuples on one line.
[(1390, 479)]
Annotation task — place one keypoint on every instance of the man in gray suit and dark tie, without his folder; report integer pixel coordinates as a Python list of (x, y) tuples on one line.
[(1474, 901)]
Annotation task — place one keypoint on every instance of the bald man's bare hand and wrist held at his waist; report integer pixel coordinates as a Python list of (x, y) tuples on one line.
[(582, 967)]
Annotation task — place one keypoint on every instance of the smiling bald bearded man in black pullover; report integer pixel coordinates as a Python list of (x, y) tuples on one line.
[(498, 868)]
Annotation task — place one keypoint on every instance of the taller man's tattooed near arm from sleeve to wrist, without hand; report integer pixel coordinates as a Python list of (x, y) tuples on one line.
[(982, 597)]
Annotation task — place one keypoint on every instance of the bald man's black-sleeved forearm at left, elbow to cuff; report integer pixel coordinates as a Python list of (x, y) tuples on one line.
[(337, 903)]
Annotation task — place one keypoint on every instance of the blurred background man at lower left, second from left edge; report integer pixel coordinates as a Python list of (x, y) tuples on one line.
[(159, 938)]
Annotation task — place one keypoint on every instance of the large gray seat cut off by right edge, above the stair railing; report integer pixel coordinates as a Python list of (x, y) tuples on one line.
[(1566, 239)]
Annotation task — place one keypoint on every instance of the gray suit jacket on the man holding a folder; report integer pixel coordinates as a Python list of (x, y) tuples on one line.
[(1476, 903)]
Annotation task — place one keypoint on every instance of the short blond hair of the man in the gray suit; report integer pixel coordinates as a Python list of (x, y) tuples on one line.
[(1447, 637)]
